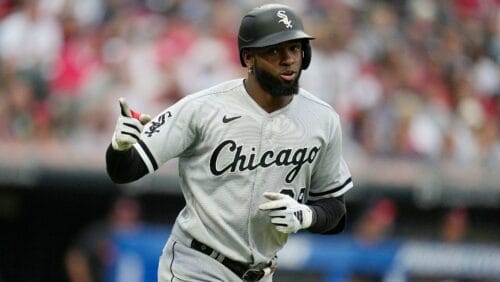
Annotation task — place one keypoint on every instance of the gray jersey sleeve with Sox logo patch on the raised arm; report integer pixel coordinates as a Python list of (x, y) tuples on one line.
[(168, 134)]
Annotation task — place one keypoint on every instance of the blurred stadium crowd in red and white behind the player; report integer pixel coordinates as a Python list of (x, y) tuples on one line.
[(412, 79)]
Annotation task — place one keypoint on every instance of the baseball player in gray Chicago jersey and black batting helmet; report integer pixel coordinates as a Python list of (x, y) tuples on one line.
[(259, 158)]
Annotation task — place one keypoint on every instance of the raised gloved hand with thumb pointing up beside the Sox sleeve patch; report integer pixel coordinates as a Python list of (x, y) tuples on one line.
[(128, 127)]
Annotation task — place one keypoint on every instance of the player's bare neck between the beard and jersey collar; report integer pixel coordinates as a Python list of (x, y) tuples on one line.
[(265, 100)]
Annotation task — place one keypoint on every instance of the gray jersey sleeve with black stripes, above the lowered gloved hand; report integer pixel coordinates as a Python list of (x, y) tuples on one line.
[(332, 177)]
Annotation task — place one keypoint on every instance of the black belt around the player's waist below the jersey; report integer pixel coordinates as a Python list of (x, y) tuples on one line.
[(243, 270)]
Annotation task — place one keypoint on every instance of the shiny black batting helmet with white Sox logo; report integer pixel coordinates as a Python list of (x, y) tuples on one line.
[(271, 24)]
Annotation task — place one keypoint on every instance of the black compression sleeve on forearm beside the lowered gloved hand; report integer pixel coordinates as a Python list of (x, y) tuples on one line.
[(329, 216)]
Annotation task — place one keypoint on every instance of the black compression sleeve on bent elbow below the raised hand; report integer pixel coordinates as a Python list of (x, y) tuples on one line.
[(124, 166)]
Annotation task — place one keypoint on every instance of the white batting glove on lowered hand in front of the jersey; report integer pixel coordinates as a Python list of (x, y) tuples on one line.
[(286, 213)]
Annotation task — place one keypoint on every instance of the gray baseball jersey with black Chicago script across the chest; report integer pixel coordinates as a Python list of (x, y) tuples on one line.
[(231, 151)]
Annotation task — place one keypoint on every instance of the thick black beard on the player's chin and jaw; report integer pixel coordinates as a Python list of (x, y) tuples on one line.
[(274, 86)]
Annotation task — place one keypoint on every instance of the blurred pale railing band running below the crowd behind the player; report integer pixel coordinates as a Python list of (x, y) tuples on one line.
[(82, 166)]
